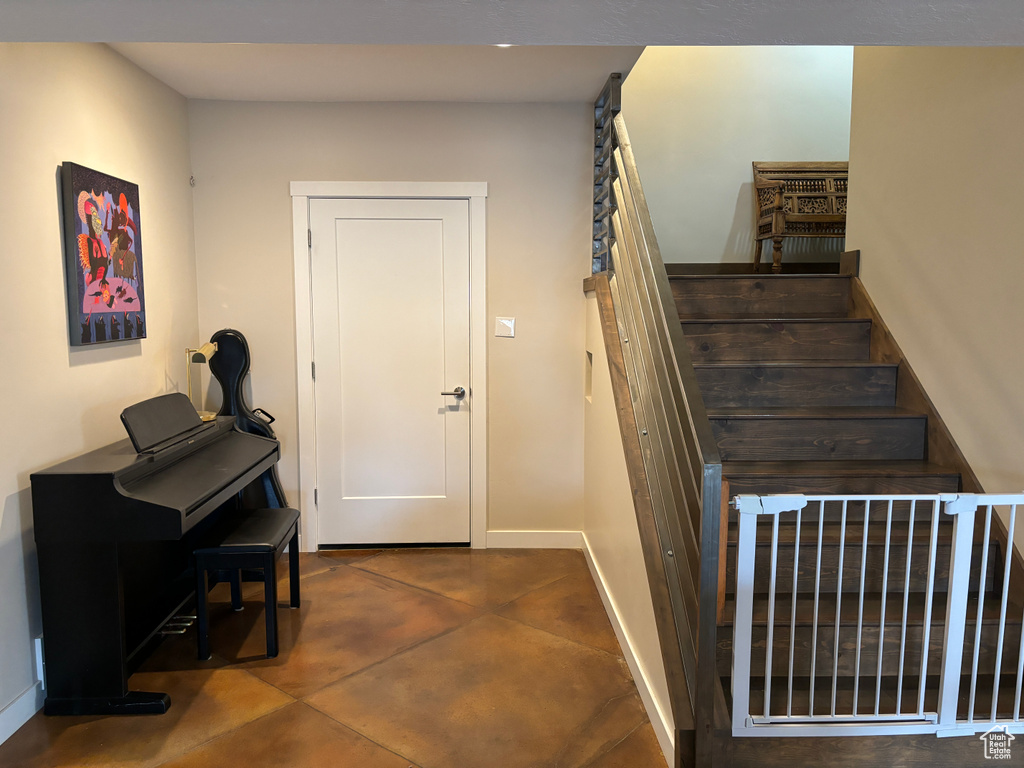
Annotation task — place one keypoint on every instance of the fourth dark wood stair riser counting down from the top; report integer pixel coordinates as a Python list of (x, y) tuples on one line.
[(816, 440)]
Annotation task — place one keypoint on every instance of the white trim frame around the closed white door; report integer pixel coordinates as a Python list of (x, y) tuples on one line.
[(477, 194)]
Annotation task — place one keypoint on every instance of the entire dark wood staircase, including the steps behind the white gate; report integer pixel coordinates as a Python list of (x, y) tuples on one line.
[(808, 394)]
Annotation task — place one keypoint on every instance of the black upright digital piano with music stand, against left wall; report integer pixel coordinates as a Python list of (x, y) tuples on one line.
[(115, 530)]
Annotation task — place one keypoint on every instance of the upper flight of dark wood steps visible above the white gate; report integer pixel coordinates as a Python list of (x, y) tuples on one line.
[(797, 398)]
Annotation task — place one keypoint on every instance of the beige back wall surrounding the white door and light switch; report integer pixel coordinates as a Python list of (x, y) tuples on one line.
[(536, 159)]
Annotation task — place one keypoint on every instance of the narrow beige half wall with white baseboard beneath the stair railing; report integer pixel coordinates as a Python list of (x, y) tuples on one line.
[(611, 529)]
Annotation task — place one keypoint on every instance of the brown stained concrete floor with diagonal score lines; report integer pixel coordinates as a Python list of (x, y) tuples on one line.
[(398, 659)]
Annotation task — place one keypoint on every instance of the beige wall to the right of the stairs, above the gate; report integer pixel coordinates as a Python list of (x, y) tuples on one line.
[(936, 164)]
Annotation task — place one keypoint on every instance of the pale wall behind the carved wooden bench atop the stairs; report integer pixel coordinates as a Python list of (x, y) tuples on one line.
[(698, 117)]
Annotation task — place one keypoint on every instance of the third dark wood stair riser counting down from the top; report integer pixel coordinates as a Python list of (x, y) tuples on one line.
[(758, 387)]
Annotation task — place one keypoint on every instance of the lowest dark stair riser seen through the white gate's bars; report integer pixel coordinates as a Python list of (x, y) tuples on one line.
[(870, 650)]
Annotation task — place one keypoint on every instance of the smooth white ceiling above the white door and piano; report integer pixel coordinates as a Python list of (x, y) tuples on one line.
[(381, 73)]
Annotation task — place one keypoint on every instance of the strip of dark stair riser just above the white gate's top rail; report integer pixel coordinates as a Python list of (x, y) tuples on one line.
[(839, 485)]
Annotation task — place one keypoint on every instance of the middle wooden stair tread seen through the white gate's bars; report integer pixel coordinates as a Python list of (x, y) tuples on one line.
[(849, 609)]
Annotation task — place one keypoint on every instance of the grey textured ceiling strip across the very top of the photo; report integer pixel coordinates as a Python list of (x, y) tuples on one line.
[(522, 22)]
